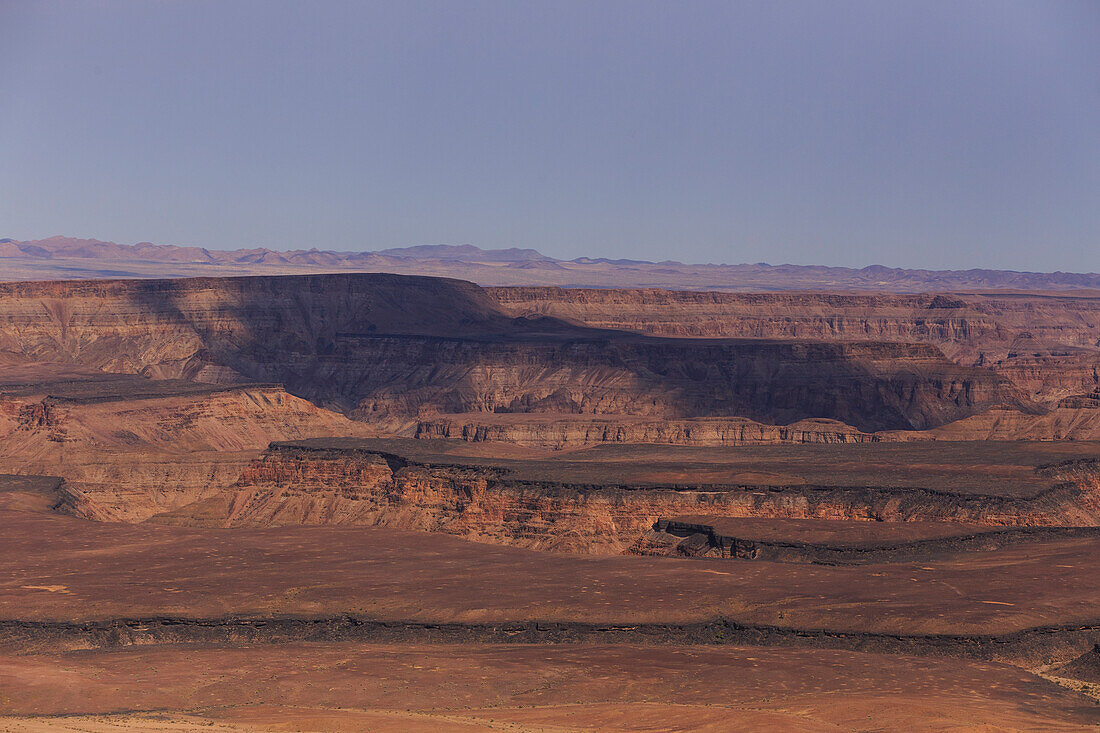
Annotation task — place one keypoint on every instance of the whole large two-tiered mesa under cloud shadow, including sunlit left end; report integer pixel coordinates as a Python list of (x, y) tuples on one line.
[(387, 348)]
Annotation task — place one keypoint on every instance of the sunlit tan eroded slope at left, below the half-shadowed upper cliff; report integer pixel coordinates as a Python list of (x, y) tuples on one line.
[(130, 458)]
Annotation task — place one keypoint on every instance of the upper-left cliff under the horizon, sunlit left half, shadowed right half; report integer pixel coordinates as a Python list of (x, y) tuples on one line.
[(178, 327)]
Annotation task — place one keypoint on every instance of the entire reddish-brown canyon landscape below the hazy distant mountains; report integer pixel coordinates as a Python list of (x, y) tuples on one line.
[(395, 504)]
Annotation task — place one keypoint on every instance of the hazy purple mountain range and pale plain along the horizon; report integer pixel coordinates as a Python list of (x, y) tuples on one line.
[(65, 258)]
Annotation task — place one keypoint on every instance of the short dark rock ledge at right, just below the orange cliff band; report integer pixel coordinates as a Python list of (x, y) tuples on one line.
[(993, 539)]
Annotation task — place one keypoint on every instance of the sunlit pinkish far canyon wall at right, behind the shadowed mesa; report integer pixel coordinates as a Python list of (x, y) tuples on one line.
[(1049, 345)]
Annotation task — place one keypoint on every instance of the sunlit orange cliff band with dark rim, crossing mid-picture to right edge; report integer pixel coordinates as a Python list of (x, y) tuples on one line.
[(540, 505)]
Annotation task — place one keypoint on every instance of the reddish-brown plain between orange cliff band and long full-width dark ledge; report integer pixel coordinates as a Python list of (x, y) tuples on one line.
[(68, 570)]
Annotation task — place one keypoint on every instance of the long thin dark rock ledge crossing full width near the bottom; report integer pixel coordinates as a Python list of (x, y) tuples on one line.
[(1040, 646)]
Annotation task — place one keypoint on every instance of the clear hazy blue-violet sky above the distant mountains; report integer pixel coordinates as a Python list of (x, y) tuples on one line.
[(940, 135)]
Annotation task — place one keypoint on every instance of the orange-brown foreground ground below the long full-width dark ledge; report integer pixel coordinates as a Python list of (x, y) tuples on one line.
[(355, 687)]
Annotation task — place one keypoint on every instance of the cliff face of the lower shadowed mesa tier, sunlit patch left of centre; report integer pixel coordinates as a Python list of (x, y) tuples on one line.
[(868, 386)]
